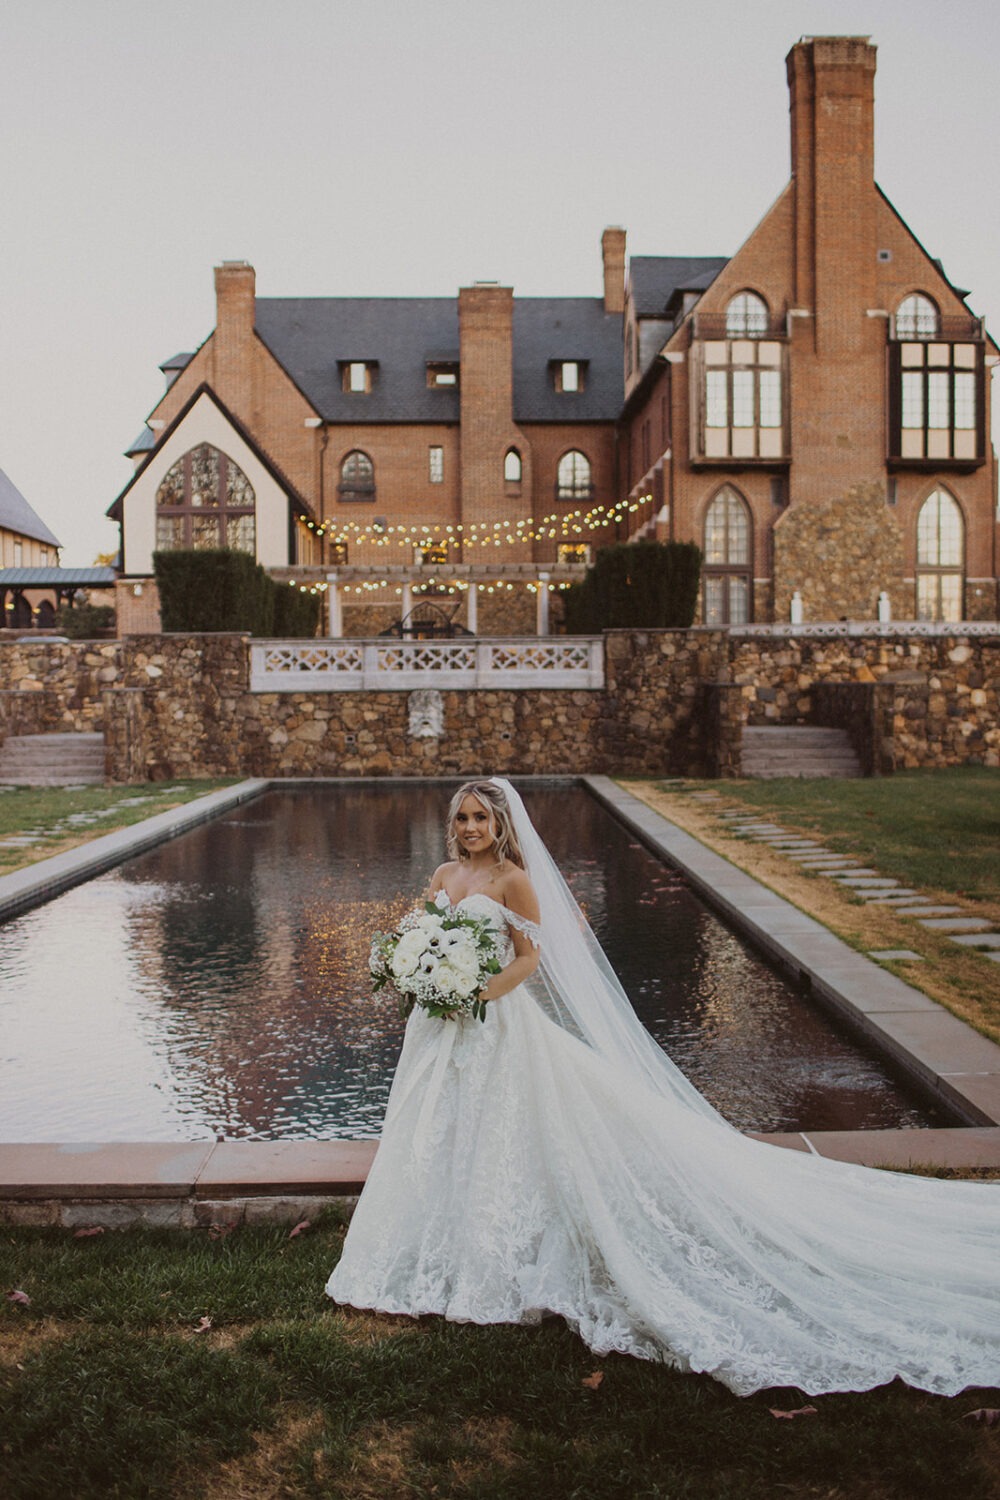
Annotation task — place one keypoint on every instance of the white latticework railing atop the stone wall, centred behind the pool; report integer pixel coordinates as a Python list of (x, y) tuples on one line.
[(340, 667)]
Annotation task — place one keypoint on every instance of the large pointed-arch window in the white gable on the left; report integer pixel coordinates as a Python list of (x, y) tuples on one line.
[(206, 502)]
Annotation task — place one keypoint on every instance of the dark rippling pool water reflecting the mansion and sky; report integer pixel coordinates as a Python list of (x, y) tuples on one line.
[(220, 983)]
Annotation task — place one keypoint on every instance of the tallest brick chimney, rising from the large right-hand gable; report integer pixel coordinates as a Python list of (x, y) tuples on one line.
[(831, 86)]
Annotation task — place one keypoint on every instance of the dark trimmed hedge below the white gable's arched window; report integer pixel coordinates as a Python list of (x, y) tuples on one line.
[(223, 590)]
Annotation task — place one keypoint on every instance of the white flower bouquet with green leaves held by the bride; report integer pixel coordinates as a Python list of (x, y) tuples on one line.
[(439, 959)]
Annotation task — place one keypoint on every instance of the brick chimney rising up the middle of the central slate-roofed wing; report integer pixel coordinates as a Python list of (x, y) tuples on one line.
[(487, 394)]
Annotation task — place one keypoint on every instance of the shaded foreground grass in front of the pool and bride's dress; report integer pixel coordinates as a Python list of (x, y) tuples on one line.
[(107, 1388)]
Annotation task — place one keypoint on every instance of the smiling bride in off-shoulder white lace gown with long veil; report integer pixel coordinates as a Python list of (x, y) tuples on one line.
[(554, 1162)]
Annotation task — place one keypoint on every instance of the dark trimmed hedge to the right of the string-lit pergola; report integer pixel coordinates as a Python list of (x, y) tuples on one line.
[(635, 586)]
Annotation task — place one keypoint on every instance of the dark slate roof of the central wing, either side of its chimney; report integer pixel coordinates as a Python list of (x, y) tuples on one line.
[(314, 337)]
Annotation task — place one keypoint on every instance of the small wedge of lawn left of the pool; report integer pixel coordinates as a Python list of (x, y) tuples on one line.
[(58, 818)]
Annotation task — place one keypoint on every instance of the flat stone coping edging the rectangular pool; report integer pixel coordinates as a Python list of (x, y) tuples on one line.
[(224, 1183)]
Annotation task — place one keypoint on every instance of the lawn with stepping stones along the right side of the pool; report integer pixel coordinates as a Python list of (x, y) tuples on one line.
[(936, 832)]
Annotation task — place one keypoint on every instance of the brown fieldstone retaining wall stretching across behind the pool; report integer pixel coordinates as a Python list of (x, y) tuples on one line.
[(674, 704)]
